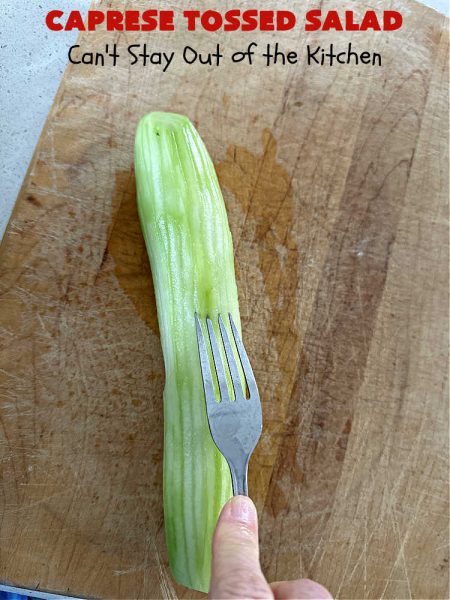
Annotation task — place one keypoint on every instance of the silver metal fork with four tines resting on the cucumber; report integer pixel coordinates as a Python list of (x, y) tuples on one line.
[(235, 425)]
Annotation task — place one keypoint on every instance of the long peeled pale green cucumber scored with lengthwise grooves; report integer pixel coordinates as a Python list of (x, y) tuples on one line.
[(189, 245)]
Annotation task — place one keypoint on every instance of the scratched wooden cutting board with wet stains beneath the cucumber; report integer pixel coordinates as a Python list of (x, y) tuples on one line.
[(336, 184)]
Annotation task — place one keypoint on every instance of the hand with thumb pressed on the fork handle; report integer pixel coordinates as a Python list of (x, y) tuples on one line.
[(236, 572)]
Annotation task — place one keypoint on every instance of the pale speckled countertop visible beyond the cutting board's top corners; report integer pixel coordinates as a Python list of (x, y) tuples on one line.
[(31, 65)]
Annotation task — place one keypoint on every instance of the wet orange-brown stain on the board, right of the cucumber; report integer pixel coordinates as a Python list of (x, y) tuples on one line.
[(262, 187)]
